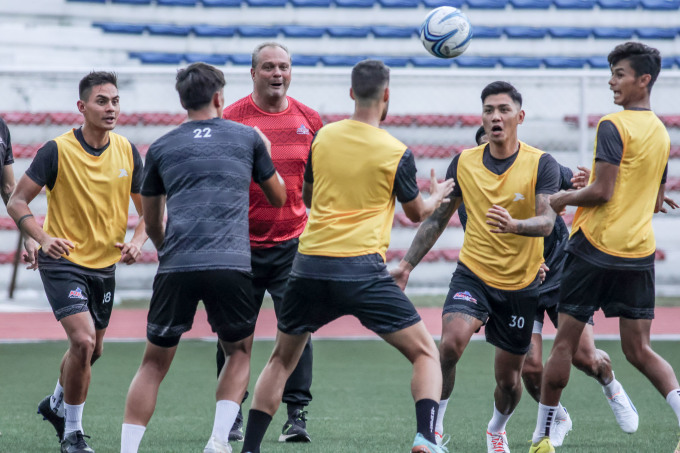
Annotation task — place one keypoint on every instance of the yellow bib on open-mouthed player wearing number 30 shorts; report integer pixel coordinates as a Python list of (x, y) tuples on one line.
[(503, 261)]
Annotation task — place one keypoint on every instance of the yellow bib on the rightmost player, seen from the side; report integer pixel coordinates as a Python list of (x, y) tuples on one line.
[(622, 226)]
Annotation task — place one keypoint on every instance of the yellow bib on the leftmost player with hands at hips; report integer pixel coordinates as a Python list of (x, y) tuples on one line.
[(89, 202)]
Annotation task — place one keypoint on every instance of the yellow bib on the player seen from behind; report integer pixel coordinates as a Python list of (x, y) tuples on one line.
[(354, 166)]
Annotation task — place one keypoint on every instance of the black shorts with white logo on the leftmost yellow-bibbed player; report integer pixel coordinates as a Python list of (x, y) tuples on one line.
[(71, 292)]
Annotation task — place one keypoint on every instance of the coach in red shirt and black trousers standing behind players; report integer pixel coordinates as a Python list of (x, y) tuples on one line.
[(290, 126)]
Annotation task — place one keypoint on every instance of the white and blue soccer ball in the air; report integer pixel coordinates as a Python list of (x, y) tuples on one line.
[(446, 32)]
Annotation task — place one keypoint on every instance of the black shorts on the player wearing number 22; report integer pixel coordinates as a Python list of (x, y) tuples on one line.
[(226, 294)]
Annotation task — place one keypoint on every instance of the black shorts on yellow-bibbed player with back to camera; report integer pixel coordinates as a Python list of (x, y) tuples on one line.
[(378, 303)]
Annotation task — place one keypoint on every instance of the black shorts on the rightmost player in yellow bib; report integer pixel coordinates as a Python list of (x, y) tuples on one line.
[(619, 293)]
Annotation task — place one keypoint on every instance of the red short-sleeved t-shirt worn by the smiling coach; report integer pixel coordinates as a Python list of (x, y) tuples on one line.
[(291, 133)]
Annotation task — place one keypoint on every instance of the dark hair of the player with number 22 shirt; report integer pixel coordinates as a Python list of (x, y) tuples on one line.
[(197, 83)]
